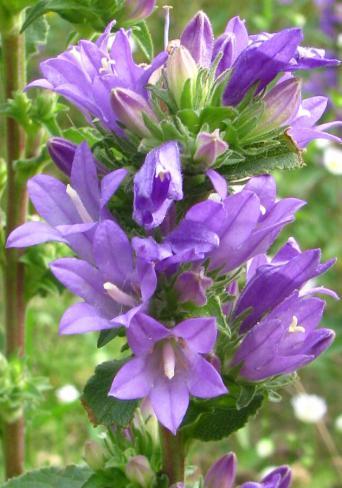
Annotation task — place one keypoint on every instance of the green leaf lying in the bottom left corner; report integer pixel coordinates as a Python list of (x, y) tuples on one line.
[(69, 477)]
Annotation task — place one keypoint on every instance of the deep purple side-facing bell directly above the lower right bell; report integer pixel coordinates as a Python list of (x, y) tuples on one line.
[(269, 284)]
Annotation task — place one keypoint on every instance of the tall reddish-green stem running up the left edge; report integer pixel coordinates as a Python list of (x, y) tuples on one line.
[(14, 77)]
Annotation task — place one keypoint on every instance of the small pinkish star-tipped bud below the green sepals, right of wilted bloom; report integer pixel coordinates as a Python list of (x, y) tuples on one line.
[(209, 146)]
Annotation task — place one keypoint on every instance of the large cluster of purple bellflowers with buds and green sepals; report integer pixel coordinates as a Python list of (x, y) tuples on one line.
[(163, 245)]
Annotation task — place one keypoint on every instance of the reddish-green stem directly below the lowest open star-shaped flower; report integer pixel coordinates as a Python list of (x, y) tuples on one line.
[(173, 455)]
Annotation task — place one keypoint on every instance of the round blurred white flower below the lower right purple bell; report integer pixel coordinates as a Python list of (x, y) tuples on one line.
[(309, 408)]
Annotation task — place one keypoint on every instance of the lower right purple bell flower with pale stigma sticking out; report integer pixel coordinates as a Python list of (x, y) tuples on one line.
[(285, 340)]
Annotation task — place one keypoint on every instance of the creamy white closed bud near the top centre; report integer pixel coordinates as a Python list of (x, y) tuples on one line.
[(180, 67)]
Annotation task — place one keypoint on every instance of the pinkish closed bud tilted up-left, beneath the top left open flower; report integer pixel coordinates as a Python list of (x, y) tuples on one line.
[(129, 108)]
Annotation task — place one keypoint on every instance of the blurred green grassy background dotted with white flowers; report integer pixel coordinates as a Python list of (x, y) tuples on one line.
[(305, 432)]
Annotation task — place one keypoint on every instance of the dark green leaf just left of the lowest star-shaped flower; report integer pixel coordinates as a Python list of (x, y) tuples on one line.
[(104, 409)]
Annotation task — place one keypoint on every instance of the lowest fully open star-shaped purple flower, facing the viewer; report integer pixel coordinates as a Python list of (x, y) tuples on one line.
[(168, 366)]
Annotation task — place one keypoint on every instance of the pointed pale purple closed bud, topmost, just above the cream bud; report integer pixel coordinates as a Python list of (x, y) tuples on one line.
[(198, 38)]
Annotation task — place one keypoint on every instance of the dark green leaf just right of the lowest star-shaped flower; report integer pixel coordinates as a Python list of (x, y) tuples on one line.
[(212, 420)]
